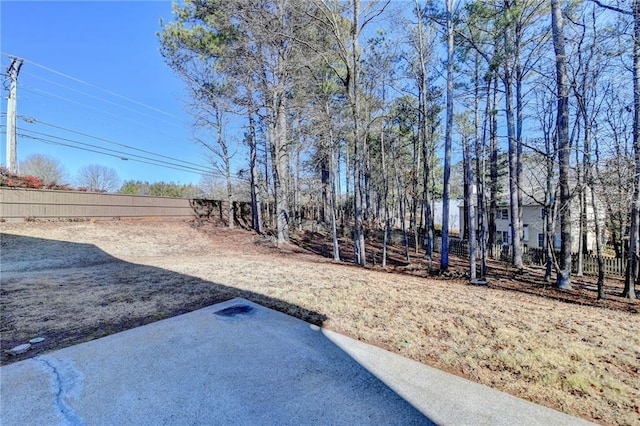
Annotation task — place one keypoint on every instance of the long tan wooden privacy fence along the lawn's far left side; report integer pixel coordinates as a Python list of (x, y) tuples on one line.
[(36, 204)]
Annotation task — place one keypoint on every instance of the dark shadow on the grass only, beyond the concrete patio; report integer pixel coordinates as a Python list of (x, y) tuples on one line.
[(71, 293)]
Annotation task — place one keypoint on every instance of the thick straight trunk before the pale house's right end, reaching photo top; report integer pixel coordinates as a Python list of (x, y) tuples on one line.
[(563, 280)]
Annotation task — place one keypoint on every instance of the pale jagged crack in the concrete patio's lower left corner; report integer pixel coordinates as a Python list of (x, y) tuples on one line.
[(66, 383)]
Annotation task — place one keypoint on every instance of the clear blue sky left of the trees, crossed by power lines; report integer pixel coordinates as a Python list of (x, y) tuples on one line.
[(93, 75)]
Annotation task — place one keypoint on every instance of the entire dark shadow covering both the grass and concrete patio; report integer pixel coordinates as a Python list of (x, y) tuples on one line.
[(71, 293)]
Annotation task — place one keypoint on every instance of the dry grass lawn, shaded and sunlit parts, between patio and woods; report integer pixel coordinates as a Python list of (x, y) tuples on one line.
[(73, 282)]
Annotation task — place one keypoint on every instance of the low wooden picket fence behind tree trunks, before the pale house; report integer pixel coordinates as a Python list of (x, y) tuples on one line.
[(537, 256)]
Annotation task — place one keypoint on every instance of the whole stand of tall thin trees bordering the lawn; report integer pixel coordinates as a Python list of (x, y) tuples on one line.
[(341, 105)]
